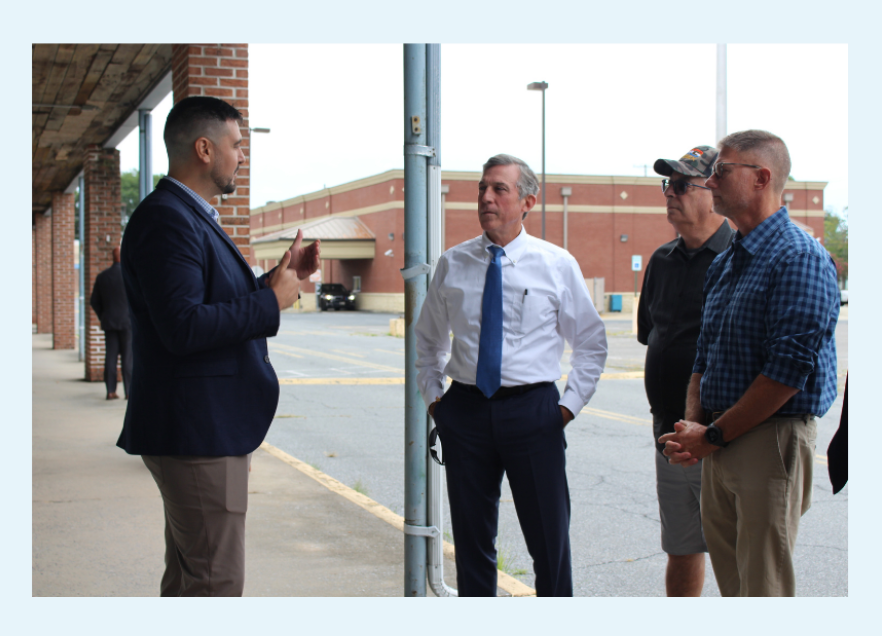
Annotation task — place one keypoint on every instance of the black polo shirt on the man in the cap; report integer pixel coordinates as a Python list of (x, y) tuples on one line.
[(668, 322)]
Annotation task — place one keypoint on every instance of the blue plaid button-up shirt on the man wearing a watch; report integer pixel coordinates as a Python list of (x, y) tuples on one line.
[(770, 307)]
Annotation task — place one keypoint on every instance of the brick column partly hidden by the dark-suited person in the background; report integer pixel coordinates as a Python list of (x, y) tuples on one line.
[(102, 220)]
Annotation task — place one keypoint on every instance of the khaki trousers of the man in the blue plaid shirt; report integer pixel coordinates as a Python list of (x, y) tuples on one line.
[(753, 493)]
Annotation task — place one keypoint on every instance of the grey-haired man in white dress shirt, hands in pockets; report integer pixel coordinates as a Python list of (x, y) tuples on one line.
[(510, 301)]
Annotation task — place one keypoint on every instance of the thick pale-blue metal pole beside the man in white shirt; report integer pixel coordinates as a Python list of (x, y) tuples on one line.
[(415, 209)]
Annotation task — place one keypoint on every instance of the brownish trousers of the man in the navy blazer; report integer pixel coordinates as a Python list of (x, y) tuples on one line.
[(205, 500)]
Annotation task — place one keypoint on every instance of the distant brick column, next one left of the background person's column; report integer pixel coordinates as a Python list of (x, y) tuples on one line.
[(63, 275)]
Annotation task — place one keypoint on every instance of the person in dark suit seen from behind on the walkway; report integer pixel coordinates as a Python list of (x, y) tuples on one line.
[(110, 305)]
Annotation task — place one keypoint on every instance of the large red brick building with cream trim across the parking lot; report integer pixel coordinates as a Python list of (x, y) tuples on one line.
[(609, 219)]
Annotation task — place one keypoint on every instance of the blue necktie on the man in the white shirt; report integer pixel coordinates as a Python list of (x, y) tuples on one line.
[(489, 375)]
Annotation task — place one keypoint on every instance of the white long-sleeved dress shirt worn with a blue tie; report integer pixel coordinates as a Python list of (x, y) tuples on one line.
[(545, 301)]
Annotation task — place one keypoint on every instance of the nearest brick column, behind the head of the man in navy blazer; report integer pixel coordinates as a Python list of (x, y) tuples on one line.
[(221, 70)]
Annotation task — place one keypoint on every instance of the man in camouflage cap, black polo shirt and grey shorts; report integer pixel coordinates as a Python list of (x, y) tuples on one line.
[(668, 322)]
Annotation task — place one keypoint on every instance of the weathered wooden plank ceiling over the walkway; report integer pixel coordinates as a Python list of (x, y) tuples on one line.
[(83, 94)]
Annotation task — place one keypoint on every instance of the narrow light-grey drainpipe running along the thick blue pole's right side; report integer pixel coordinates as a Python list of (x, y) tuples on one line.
[(435, 477)]
